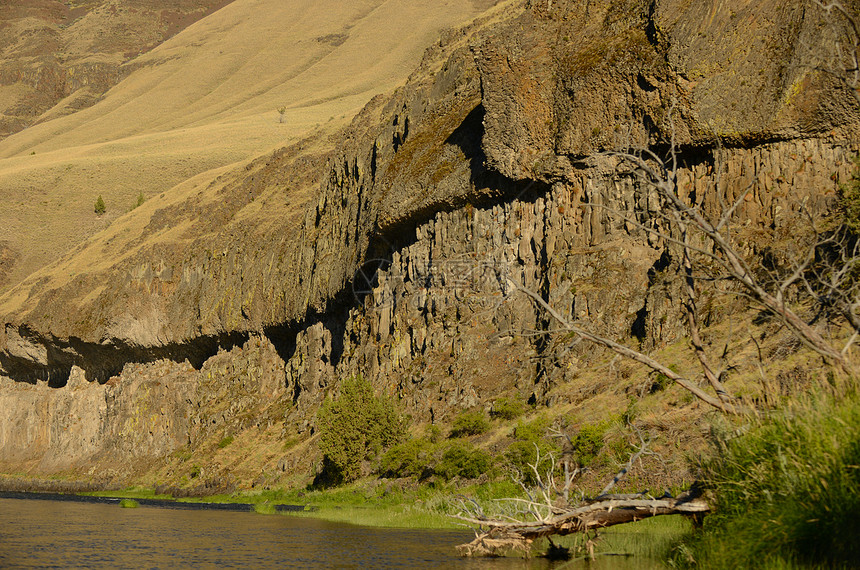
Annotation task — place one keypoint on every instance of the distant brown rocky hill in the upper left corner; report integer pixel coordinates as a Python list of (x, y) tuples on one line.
[(59, 57)]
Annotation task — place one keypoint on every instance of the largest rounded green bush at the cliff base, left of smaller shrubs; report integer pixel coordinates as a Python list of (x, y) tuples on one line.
[(353, 428)]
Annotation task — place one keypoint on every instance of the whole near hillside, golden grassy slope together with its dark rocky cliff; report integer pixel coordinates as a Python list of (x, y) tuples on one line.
[(378, 236)]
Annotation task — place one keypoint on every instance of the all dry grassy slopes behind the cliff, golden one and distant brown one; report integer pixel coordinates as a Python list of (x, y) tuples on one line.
[(199, 102)]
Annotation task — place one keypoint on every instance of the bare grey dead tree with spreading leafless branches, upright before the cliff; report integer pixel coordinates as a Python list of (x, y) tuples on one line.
[(705, 243)]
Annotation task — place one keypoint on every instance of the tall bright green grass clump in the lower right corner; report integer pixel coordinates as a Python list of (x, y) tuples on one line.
[(787, 492)]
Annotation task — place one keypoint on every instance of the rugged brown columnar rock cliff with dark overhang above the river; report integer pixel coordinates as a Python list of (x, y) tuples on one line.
[(392, 260)]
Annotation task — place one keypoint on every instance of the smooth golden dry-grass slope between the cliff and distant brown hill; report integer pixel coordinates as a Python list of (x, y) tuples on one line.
[(204, 100)]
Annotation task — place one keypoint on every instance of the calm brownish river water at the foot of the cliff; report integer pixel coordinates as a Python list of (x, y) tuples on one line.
[(60, 534)]
